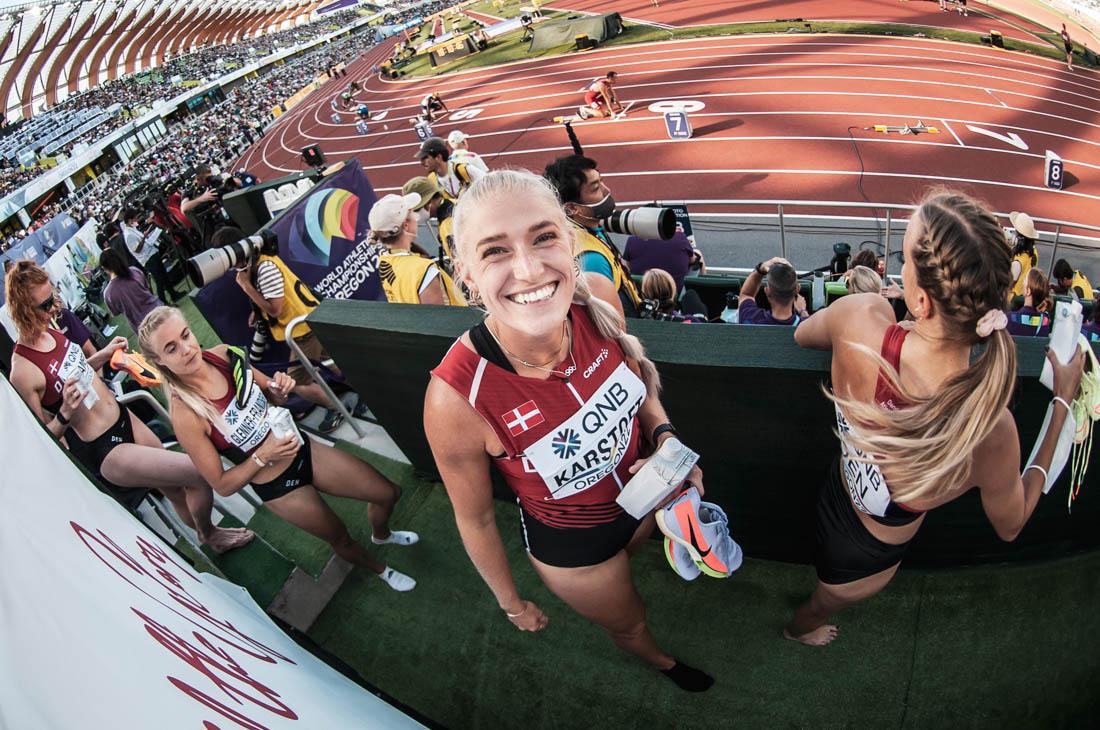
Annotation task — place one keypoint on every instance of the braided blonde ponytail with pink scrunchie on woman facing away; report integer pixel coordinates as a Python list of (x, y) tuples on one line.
[(963, 262)]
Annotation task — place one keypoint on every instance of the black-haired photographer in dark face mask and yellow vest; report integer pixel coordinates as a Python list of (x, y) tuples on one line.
[(588, 202)]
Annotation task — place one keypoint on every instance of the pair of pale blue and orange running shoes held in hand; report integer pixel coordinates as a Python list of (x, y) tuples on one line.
[(697, 538)]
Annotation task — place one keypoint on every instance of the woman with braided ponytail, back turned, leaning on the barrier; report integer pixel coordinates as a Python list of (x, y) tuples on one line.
[(937, 425)]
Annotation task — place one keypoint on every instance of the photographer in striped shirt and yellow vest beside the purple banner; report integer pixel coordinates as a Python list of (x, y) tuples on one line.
[(280, 297)]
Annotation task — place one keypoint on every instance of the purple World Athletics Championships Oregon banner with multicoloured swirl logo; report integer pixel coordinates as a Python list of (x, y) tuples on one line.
[(323, 239)]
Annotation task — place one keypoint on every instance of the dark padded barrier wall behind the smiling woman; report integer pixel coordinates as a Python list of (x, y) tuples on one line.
[(749, 400)]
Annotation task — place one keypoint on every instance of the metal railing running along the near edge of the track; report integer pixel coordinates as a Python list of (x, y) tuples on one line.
[(1054, 237)]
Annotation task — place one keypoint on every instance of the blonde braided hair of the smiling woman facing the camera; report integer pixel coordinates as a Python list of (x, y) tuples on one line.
[(534, 187)]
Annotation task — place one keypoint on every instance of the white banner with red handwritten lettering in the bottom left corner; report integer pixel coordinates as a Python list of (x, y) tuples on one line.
[(105, 627)]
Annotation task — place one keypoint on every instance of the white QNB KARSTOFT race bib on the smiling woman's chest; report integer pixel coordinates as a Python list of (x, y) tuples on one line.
[(590, 446)]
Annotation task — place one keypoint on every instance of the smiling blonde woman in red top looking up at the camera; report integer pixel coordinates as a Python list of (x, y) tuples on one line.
[(552, 391)]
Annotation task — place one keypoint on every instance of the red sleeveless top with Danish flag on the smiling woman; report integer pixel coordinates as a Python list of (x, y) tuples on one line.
[(568, 441)]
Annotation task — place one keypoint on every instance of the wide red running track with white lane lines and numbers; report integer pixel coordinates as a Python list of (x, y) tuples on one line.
[(776, 121)]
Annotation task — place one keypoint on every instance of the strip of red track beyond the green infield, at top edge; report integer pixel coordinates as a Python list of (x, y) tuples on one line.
[(983, 17)]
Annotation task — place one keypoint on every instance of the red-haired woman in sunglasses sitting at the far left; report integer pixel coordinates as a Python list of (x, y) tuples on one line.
[(113, 444)]
